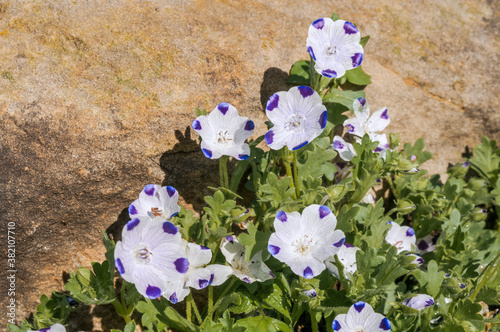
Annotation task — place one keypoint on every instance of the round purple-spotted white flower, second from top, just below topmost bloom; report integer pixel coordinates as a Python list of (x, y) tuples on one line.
[(298, 115)]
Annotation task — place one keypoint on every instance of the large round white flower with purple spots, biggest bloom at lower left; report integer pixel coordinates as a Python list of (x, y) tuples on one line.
[(150, 254)]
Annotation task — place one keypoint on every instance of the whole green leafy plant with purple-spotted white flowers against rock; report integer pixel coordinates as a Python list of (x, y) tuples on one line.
[(310, 246)]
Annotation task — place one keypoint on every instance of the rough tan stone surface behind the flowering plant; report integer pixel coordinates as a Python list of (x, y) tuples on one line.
[(96, 98)]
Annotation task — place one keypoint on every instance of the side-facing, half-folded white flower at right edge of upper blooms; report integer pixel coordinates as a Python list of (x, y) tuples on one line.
[(363, 124)]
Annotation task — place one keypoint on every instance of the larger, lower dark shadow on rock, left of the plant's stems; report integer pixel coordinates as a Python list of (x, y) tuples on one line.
[(189, 171)]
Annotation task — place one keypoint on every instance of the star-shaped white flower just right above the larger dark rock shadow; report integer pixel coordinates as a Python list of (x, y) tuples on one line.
[(224, 132)]
